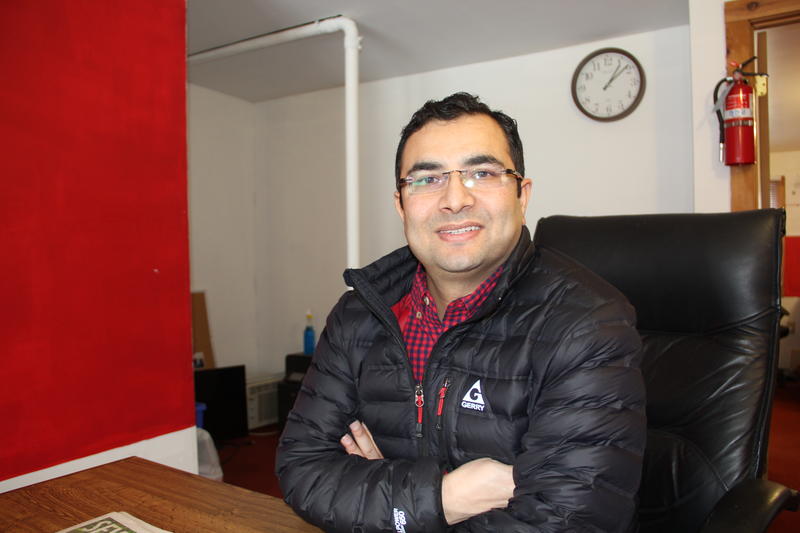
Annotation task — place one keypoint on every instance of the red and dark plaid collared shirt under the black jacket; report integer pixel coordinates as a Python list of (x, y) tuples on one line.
[(419, 320)]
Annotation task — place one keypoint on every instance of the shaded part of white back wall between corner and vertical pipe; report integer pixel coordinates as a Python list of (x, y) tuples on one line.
[(300, 219)]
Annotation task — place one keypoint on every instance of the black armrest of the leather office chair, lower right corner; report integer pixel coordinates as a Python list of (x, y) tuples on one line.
[(750, 507)]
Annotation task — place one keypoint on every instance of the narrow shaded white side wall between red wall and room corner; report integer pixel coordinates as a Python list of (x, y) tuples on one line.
[(222, 221)]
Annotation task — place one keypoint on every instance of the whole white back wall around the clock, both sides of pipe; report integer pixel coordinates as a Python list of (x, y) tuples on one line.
[(640, 164)]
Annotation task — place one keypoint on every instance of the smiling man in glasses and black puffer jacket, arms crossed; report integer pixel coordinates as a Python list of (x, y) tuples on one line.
[(470, 381)]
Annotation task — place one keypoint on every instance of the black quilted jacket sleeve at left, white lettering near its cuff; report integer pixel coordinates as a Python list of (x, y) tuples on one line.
[(340, 492)]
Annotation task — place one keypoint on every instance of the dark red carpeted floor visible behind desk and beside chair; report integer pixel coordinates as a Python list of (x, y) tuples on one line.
[(250, 462)]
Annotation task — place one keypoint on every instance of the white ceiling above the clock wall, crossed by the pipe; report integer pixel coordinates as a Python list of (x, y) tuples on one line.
[(400, 36)]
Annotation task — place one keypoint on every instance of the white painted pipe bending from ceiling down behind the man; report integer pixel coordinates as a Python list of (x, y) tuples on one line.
[(352, 45)]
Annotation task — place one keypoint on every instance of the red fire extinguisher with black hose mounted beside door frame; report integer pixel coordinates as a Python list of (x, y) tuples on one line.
[(735, 114)]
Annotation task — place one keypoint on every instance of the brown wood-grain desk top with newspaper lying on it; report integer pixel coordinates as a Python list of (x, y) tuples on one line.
[(162, 496)]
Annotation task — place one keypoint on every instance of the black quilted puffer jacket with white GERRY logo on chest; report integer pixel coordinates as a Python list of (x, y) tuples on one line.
[(544, 377)]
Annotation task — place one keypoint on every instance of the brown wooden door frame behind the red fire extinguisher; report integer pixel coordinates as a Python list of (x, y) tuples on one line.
[(742, 19)]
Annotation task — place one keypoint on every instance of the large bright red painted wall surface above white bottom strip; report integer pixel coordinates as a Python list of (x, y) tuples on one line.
[(94, 318)]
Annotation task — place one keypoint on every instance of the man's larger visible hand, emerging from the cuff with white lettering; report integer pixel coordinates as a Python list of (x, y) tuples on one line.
[(476, 487)]
